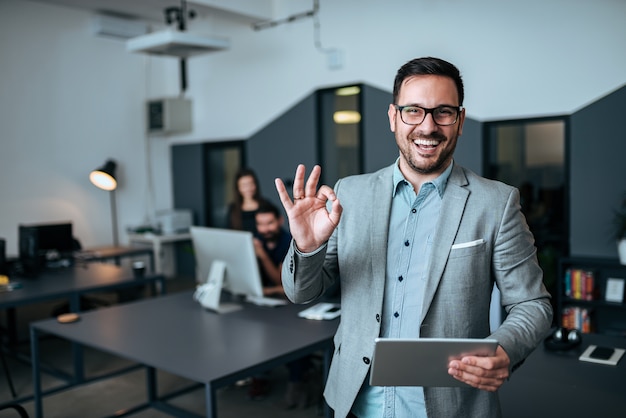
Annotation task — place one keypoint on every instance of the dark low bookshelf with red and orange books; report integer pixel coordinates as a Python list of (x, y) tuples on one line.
[(582, 300)]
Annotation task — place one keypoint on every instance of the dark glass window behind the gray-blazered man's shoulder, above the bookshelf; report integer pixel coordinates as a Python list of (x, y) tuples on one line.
[(531, 155)]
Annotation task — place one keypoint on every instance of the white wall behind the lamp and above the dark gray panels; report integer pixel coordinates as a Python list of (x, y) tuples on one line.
[(69, 99)]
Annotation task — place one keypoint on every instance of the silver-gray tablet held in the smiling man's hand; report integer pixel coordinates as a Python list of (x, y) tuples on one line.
[(422, 361)]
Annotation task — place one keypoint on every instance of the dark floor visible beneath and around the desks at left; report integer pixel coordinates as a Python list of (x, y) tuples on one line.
[(109, 397)]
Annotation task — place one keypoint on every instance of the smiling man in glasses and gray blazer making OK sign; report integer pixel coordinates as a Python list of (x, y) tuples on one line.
[(417, 248)]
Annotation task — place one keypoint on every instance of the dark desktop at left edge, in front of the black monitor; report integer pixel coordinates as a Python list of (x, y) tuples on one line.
[(64, 281)]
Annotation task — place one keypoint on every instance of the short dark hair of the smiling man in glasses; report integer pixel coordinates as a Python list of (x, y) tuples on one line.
[(428, 66)]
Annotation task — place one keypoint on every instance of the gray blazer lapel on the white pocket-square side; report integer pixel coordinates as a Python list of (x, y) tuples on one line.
[(453, 205)]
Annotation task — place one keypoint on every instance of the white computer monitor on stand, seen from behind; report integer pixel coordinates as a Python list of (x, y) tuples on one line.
[(225, 259)]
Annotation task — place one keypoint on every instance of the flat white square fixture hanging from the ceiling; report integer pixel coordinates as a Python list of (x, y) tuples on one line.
[(176, 43)]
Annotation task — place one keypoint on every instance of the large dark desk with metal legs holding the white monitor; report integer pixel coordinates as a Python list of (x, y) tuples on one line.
[(175, 334)]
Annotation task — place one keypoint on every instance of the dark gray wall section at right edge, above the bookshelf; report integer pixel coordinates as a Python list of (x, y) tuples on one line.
[(597, 174)]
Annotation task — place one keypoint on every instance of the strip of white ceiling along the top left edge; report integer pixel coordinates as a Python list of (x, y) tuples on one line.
[(246, 11)]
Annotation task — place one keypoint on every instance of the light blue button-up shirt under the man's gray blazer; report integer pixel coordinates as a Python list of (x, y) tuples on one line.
[(411, 228)]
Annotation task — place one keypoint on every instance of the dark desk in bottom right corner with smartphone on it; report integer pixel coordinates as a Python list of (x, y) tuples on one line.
[(552, 384)]
